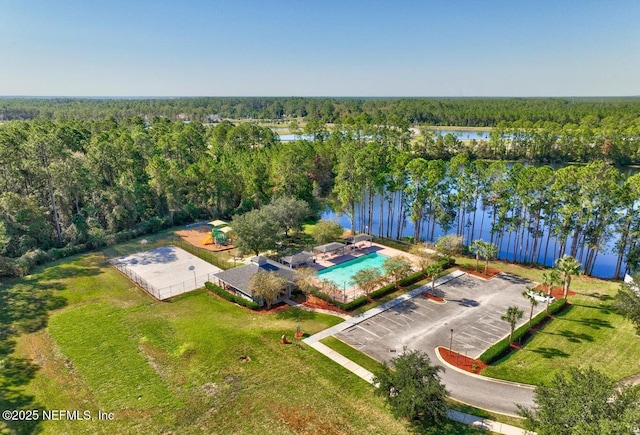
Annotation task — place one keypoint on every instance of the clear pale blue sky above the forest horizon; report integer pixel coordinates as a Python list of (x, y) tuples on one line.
[(320, 48)]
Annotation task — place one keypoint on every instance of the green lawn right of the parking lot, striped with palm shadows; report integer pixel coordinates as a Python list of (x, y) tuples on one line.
[(589, 333)]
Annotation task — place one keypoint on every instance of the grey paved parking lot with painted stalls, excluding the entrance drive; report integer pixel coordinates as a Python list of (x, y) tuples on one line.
[(473, 309)]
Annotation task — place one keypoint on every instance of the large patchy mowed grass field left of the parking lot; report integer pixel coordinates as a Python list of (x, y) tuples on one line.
[(92, 341)]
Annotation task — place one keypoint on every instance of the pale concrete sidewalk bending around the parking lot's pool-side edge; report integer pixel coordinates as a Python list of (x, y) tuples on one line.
[(314, 342)]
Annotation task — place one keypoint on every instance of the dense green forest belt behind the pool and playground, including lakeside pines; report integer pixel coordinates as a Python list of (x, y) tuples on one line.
[(74, 184)]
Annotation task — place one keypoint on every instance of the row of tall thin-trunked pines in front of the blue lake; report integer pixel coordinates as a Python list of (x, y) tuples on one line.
[(529, 210)]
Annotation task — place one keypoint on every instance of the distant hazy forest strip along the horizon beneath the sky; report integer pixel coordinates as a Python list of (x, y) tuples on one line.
[(473, 112)]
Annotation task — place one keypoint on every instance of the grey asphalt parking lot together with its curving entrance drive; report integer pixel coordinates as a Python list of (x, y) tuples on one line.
[(472, 311)]
